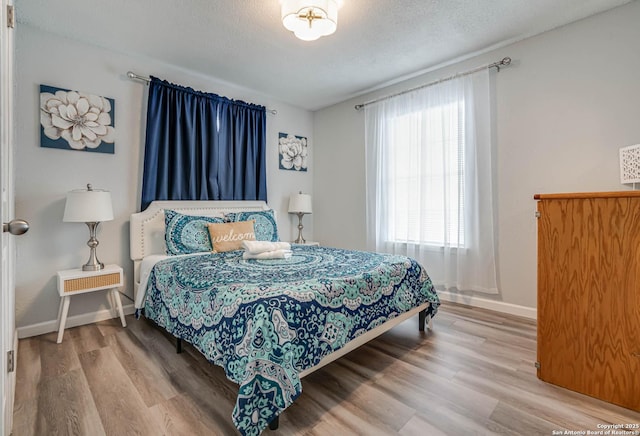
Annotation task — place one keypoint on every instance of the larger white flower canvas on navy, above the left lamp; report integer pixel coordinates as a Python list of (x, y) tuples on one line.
[(74, 120)]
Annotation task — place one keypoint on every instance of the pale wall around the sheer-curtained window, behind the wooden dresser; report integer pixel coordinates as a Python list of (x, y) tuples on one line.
[(563, 109)]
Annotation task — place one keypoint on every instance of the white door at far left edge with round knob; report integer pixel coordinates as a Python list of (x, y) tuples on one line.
[(7, 251)]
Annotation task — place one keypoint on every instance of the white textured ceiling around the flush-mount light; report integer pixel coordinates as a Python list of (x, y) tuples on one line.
[(243, 41)]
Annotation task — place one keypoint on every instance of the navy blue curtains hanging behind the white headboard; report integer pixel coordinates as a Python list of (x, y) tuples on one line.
[(200, 146)]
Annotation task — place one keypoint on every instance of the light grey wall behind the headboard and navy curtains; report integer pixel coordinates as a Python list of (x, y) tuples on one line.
[(43, 176)]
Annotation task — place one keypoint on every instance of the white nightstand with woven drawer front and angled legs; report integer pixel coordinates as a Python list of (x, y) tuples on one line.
[(75, 281)]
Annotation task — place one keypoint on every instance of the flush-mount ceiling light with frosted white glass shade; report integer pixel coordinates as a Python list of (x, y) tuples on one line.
[(310, 19)]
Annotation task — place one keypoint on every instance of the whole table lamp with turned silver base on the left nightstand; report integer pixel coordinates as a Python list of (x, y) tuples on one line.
[(91, 207)]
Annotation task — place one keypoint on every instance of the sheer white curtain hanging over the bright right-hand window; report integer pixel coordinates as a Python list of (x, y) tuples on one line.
[(430, 181)]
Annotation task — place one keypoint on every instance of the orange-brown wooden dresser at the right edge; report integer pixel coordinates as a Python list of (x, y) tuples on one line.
[(589, 294)]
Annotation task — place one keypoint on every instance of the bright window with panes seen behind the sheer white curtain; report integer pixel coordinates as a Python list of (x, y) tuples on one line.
[(425, 181)]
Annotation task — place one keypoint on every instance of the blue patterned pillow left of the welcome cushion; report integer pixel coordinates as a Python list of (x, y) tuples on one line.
[(186, 234)]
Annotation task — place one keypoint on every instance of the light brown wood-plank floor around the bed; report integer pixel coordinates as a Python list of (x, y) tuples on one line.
[(472, 375)]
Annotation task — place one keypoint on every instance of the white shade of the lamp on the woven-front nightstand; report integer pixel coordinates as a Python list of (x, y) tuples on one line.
[(85, 206)]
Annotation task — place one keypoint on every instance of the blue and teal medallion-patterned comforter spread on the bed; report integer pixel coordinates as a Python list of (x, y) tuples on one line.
[(264, 321)]
